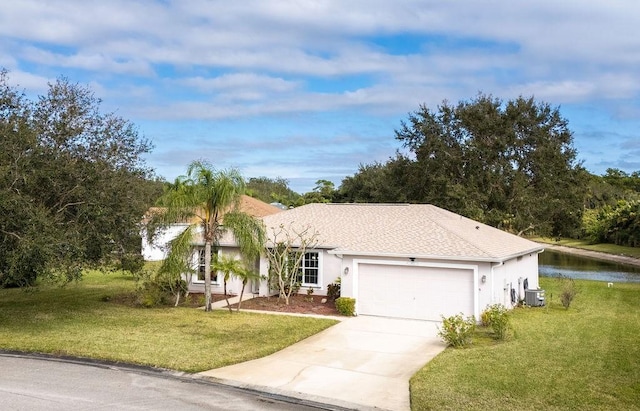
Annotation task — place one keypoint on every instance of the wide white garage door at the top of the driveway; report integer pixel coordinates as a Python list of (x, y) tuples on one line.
[(424, 293)]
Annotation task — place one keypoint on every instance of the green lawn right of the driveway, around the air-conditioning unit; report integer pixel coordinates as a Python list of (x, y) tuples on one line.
[(586, 357)]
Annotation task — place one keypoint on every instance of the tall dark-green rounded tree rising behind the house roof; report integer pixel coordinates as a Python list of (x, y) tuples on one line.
[(510, 164)]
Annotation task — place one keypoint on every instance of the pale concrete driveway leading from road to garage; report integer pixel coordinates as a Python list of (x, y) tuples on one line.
[(363, 362)]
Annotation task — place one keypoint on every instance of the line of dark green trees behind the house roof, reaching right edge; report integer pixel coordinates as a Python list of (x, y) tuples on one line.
[(509, 164)]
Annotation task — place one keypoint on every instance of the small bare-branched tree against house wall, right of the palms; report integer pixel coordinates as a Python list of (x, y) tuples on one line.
[(285, 256)]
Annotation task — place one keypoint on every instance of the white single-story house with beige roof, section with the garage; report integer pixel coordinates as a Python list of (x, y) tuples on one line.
[(413, 261)]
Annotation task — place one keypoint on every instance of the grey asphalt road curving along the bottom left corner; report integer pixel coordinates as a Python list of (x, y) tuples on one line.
[(45, 383)]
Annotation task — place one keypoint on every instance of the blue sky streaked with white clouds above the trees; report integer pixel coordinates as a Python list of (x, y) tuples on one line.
[(308, 90)]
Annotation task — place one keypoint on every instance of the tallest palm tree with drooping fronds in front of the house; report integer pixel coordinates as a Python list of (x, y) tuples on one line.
[(202, 198)]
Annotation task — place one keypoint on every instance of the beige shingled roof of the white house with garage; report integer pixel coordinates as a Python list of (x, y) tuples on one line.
[(403, 230)]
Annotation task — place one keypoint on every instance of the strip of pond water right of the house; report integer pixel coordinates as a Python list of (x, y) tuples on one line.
[(555, 264)]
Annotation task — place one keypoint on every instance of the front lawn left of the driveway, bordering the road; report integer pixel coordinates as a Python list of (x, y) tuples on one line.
[(78, 321)]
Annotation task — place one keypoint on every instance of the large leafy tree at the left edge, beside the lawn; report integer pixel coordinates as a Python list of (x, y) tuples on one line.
[(73, 184)]
